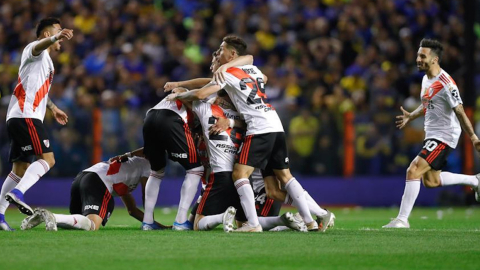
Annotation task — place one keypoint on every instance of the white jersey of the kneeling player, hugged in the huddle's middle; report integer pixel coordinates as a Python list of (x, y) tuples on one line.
[(222, 147)]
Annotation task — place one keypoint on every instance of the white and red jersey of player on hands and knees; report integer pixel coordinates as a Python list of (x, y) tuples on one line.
[(121, 178)]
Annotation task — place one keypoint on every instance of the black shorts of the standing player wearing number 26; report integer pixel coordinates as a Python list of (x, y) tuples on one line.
[(264, 151)]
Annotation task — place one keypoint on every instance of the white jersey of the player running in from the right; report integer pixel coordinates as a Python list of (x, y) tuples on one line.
[(439, 96)]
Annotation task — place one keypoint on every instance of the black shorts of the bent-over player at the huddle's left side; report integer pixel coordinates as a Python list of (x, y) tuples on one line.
[(164, 131)]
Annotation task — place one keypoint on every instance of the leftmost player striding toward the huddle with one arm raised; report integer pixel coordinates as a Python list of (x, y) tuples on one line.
[(26, 111)]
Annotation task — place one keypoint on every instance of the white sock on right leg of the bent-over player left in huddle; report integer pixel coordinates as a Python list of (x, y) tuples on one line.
[(187, 193)]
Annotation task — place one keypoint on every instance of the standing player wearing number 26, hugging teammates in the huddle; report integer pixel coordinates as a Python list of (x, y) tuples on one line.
[(264, 146)]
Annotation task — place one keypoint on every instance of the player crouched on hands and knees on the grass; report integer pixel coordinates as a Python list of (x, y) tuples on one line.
[(92, 192)]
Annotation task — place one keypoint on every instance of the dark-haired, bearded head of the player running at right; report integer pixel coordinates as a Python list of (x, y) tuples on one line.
[(429, 54)]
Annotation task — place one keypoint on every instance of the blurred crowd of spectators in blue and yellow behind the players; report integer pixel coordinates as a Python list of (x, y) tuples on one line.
[(323, 58)]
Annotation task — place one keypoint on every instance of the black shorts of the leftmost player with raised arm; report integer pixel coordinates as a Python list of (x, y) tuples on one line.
[(28, 138)]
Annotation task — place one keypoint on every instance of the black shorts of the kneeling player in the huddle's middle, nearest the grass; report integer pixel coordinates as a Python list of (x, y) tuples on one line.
[(219, 194)]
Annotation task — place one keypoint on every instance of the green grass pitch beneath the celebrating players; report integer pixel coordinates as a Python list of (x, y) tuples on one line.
[(440, 238)]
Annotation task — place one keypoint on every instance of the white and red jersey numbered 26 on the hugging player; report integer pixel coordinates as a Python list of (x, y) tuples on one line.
[(246, 87)]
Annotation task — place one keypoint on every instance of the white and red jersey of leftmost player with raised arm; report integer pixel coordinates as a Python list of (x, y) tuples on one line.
[(35, 75)]
